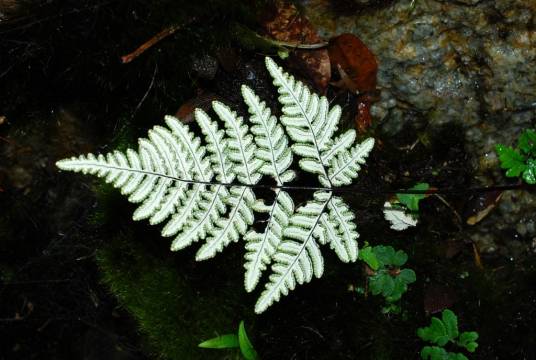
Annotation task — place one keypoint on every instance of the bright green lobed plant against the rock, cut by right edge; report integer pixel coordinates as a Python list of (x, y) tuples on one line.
[(521, 160)]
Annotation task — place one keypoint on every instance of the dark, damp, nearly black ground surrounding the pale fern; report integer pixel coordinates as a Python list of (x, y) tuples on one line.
[(68, 244)]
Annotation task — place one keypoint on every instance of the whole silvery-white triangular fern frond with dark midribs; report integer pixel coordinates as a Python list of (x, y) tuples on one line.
[(205, 192)]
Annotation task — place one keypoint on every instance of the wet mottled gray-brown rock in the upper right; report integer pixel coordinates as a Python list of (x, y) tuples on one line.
[(467, 61)]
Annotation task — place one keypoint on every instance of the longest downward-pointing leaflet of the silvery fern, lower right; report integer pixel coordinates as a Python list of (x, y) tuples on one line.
[(298, 257)]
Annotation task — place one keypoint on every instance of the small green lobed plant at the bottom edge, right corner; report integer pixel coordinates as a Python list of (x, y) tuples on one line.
[(441, 332)]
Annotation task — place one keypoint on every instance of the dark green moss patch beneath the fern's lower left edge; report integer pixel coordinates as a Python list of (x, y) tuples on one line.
[(174, 310)]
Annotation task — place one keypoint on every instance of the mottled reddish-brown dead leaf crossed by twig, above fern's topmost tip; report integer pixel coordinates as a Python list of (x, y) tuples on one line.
[(285, 23)]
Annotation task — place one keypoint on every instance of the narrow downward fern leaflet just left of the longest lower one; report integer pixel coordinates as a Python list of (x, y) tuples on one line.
[(260, 247)]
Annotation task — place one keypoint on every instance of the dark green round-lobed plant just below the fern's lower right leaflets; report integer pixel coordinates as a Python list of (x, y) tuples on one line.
[(385, 274)]
